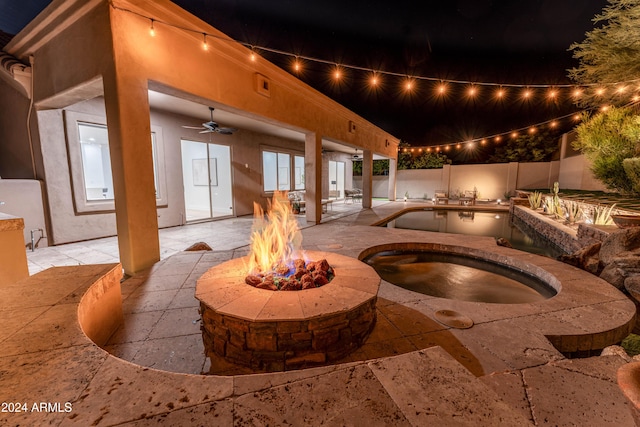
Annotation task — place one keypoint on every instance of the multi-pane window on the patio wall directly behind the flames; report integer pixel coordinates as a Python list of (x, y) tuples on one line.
[(279, 172)]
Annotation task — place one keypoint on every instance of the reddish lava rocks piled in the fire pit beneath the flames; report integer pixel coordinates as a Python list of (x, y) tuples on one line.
[(305, 276)]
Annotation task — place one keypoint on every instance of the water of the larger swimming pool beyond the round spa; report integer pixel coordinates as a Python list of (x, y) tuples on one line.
[(477, 223)]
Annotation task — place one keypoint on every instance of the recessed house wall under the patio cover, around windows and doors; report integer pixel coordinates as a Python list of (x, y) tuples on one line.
[(68, 225)]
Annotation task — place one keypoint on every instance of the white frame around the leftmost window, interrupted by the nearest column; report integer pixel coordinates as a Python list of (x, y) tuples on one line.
[(82, 205)]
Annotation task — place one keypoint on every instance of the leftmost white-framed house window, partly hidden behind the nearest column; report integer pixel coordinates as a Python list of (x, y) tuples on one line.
[(90, 163)]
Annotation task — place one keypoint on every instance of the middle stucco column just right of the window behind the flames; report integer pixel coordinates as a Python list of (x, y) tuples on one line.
[(313, 177)]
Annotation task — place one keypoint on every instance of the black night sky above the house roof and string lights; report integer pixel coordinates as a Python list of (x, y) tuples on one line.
[(492, 41)]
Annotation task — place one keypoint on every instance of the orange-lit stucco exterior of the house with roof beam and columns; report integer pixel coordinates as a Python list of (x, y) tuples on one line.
[(98, 57)]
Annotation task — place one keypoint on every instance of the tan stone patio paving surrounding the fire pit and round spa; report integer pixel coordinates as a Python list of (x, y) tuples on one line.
[(502, 371)]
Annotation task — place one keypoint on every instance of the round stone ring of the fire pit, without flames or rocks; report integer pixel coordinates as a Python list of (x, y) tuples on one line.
[(281, 330)]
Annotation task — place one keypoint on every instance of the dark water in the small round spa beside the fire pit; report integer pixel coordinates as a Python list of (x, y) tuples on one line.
[(458, 277)]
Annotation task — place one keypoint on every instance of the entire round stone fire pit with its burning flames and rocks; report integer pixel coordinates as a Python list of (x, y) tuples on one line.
[(282, 308)]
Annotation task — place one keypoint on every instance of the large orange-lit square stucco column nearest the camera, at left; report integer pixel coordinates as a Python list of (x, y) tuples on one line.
[(127, 107)]
